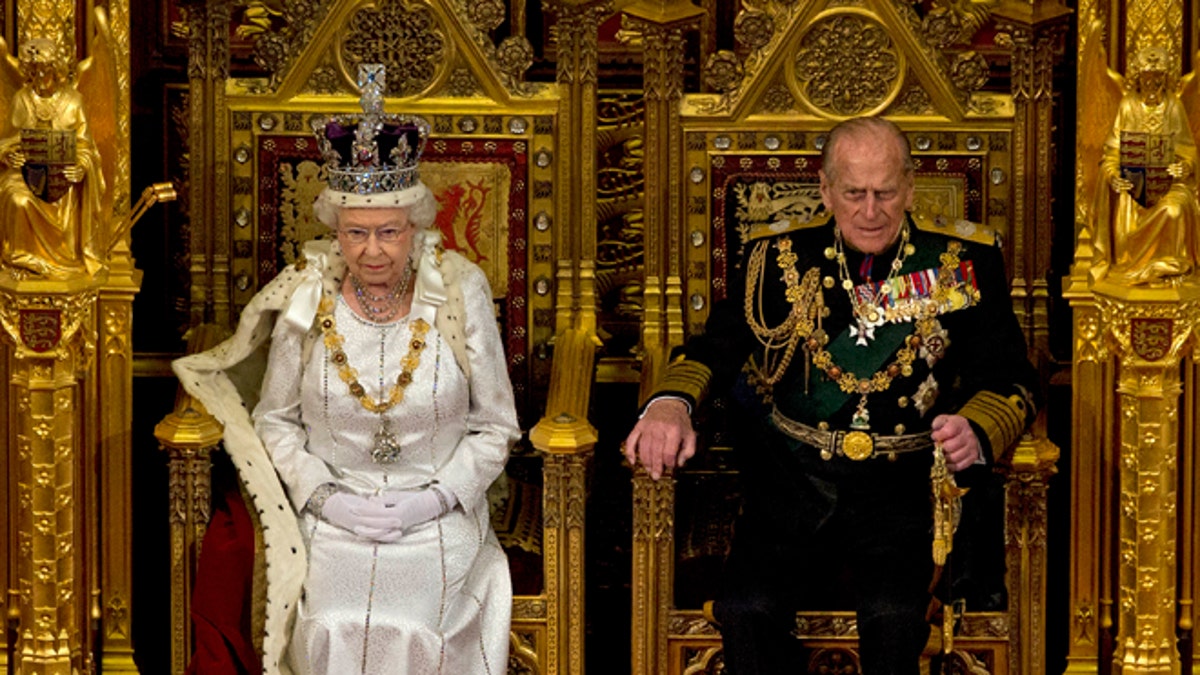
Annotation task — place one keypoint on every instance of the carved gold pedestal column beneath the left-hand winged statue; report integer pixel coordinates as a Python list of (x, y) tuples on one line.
[(51, 328)]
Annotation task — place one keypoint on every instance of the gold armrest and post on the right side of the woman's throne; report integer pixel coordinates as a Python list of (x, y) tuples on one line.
[(566, 441)]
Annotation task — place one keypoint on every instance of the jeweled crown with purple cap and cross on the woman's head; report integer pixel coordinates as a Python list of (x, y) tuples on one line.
[(375, 152)]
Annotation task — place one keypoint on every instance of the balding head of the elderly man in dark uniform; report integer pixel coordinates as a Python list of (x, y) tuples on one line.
[(869, 192)]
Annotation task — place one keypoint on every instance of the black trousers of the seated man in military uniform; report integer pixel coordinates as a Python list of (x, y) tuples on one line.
[(807, 523)]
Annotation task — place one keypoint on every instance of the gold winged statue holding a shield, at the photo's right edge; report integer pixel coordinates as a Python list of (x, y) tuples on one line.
[(1145, 212)]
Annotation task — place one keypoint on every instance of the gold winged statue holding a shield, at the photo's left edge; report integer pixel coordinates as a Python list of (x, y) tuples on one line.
[(55, 204)]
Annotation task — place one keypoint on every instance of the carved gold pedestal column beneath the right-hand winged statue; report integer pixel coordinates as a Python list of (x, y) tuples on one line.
[(1150, 327)]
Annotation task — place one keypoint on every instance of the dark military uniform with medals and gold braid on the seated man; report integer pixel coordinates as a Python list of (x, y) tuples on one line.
[(833, 480)]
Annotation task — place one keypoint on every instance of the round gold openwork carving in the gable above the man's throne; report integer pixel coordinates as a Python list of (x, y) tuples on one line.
[(848, 65)]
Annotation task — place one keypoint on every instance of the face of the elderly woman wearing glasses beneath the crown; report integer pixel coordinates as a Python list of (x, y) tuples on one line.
[(376, 244)]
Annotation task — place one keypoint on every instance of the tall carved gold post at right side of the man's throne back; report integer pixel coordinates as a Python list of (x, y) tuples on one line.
[(1035, 32)]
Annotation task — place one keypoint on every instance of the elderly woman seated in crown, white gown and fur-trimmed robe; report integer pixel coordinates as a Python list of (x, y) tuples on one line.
[(386, 413)]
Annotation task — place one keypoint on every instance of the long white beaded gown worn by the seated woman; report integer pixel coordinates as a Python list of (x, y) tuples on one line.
[(439, 601)]
